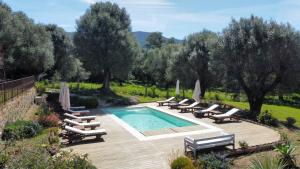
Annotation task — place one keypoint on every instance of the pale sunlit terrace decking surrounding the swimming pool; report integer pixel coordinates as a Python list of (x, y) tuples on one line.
[(122, 150)]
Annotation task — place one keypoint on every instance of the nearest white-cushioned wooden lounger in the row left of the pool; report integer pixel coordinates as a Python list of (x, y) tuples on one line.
[(74, 134)]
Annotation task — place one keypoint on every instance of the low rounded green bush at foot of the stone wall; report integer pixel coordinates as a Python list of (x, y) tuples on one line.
[(20, 129)]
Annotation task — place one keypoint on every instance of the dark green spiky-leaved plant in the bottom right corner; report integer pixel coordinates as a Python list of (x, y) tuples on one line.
[(287, 155)]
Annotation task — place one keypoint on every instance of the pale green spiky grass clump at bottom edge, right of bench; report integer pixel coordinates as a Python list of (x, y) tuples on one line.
[(267, 162)]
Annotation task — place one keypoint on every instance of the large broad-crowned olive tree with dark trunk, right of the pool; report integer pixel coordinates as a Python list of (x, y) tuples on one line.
[(259, 54)]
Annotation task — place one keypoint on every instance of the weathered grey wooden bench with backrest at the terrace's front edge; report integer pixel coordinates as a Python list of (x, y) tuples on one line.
[(207, 143)]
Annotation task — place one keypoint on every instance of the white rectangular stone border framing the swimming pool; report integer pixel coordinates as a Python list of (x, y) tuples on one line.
[(141, 137)]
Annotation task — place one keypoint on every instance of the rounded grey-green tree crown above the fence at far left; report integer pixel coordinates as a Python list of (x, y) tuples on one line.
[(30, 44)]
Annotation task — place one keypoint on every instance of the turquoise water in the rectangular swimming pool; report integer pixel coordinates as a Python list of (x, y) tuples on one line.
[(145, 119)]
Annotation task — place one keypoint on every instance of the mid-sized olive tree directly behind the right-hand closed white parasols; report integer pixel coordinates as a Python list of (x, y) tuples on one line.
[(192, 62)]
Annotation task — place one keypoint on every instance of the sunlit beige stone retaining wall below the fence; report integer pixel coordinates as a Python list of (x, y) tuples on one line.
[(17, 107)]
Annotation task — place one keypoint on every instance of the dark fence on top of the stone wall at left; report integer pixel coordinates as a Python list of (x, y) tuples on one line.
[(12, 88)]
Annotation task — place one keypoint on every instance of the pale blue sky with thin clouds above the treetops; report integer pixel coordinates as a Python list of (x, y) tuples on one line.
[(174, 18)]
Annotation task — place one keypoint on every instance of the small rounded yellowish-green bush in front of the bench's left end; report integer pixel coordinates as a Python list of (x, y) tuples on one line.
[(211, 161)]
